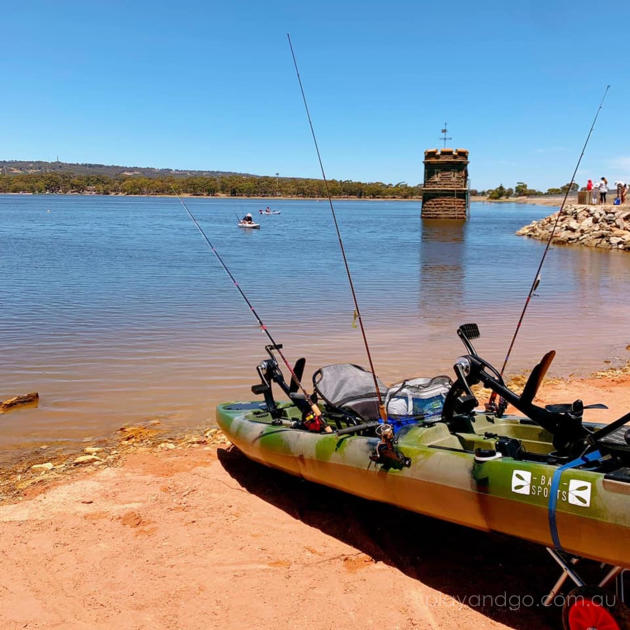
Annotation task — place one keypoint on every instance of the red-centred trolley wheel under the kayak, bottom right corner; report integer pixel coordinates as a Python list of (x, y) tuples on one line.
[(590, 608)]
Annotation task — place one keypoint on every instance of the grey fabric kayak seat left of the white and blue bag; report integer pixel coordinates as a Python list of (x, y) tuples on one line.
[(349, 389)]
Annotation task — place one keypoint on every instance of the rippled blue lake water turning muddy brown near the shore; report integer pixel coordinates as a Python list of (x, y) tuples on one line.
[(114, 309)]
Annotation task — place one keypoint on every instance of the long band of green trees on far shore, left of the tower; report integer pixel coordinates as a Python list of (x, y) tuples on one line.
[(231, 185)]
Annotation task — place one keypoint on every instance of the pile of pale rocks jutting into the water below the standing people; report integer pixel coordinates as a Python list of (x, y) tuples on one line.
[(604, 226)]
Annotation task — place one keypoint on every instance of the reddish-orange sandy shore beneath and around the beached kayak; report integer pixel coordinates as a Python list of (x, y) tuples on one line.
[(199, 537)]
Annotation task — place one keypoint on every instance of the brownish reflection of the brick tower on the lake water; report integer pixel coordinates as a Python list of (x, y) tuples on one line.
[(441, 268)]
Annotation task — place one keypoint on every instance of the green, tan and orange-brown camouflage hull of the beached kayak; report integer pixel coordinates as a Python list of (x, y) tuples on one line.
[(445, 480)]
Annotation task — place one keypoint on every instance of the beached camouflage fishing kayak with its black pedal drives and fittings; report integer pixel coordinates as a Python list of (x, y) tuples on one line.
[(529, 476)]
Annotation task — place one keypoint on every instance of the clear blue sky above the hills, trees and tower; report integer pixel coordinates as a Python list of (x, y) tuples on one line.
[(207, 85)]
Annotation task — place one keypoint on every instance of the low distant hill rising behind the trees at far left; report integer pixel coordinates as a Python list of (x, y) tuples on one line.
[(17, 167)]
